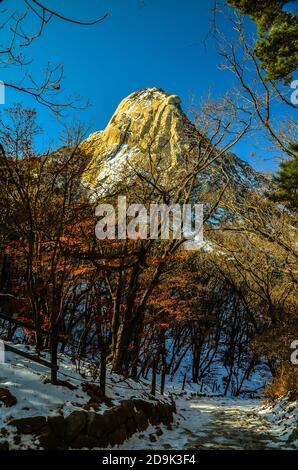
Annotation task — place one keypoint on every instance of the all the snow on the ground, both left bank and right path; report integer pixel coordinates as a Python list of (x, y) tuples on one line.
[(202, 422)]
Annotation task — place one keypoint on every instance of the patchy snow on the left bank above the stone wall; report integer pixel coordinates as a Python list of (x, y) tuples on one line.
[(29, 382)]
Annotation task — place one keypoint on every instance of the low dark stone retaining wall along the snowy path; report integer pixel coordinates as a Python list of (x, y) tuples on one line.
[(82, 429)]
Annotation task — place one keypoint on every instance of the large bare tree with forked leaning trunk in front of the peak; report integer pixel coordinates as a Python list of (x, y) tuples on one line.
[(129, 265)]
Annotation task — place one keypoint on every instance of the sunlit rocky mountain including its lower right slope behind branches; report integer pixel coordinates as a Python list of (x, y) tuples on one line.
[(149, 128)]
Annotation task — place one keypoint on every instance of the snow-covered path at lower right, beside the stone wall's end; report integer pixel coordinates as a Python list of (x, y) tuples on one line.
[(210, 423)]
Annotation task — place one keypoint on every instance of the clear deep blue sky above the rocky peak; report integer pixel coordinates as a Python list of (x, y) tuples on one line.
[(142, 43)]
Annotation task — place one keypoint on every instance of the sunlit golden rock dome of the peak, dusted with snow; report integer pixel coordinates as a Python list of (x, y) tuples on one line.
[(148, 124)]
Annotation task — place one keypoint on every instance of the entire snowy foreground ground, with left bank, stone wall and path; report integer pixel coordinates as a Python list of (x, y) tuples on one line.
[(33, 411)]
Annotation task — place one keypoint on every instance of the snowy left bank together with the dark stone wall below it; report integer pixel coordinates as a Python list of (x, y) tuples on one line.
[(36, 414)]
